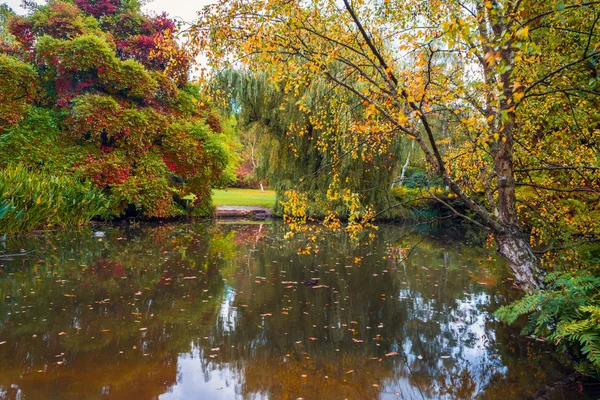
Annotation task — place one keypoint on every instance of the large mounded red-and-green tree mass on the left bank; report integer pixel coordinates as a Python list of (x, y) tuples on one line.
[(99, 92)]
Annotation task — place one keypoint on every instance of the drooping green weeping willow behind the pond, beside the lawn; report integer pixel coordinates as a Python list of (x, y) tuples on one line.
[(296, 133)]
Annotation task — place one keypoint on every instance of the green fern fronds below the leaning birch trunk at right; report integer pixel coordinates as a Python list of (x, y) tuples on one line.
[(567, 312)]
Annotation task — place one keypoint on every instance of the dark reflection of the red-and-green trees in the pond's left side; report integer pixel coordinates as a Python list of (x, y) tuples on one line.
[(128, 305)]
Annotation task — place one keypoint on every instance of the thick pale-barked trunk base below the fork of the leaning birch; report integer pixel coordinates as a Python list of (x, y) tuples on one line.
[(525, 265)]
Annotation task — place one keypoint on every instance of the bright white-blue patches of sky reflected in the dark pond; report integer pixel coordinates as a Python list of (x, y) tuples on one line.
[(465, 321)]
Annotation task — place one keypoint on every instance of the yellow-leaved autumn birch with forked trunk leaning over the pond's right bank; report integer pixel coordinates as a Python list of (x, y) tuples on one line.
[(489, 68)]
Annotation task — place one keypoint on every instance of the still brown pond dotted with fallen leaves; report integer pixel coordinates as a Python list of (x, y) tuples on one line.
[(224, 311)]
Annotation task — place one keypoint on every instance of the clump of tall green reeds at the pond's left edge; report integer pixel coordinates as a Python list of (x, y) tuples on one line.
[(34, 200)]
